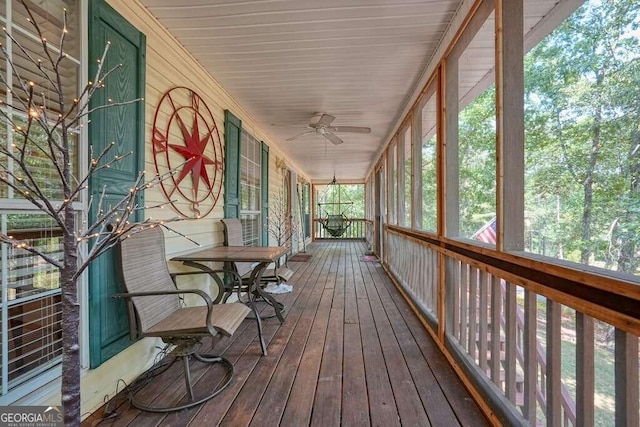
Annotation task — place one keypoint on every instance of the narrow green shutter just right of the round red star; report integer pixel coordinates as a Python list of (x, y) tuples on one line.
[(232, 131)]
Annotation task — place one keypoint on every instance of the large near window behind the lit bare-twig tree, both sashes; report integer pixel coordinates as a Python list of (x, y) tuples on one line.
[(30, 299)]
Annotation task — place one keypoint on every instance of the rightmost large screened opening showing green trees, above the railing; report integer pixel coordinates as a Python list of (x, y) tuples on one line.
[(582, 143)]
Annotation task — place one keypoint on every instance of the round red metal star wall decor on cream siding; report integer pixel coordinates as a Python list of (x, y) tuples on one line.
[(186, 142)]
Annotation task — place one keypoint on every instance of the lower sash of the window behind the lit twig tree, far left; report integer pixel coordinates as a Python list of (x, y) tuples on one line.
[(32, 302)]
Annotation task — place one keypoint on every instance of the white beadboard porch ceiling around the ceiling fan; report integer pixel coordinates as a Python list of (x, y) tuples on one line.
[(284, 60)]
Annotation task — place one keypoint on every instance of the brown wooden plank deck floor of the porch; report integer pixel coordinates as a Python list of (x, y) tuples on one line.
[(350, 352)]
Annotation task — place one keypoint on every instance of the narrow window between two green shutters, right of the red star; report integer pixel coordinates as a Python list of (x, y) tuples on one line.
[(250, 175)]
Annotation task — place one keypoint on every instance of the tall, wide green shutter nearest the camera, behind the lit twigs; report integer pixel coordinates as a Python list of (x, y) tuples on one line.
[(124, 125)]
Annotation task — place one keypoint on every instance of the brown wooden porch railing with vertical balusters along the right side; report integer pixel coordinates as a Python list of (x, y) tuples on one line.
[(520, 334)]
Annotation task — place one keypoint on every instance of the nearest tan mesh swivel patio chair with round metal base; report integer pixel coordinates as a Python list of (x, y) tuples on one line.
[(155, 310)]
